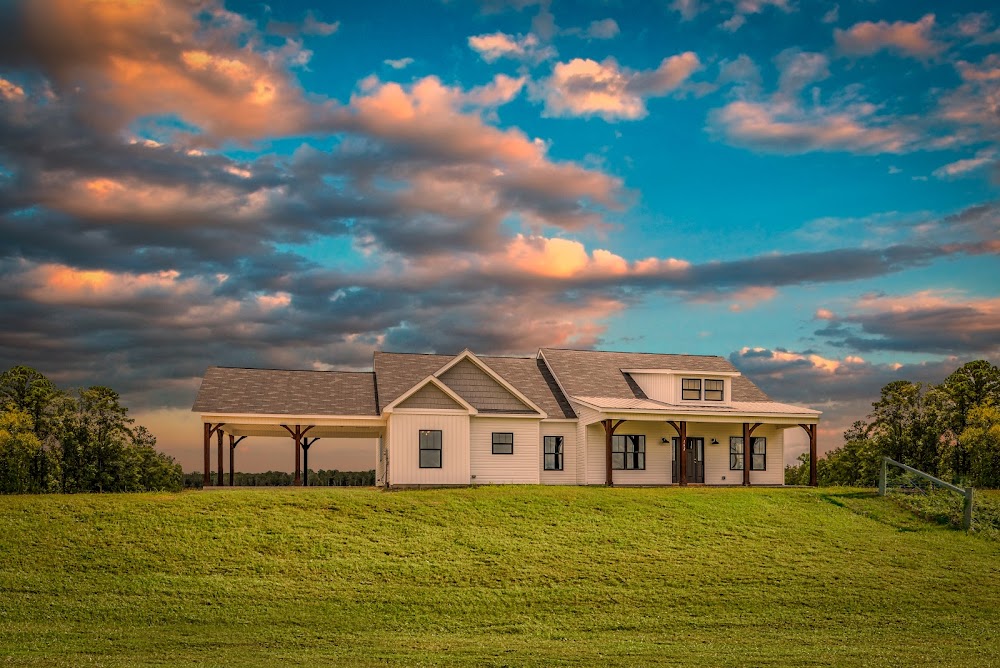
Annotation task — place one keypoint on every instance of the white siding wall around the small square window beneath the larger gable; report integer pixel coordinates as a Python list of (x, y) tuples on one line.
[(518, 468)]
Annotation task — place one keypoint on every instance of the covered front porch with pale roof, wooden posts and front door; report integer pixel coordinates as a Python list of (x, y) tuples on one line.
[(640, 444)]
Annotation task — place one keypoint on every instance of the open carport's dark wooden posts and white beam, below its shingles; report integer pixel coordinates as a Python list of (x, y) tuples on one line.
[(300, 432)]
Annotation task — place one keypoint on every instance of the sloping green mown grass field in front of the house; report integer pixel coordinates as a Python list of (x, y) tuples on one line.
[(492, 576)]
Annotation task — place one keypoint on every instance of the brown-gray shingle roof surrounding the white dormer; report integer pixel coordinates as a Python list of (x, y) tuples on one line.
[(598, 373)]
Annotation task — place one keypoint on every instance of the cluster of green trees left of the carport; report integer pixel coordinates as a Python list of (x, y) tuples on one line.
[(52, 440)]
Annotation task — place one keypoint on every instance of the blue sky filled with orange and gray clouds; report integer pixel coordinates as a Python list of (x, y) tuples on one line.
[(807, 188)]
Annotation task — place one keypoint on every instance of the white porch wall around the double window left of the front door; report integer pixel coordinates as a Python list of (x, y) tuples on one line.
[(658, 454)]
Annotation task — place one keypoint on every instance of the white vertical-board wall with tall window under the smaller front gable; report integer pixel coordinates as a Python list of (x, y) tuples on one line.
[(404, 448)]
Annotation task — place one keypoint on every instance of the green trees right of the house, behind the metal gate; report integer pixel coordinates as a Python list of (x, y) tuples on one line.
[(951, 431)]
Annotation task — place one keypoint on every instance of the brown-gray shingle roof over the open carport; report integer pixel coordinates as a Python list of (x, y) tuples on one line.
[(281, 392)]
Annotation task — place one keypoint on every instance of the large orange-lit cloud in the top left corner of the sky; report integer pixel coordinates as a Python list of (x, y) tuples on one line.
[(136, 59)]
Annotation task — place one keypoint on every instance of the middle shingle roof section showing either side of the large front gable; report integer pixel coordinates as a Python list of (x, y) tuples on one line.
[(398, 372)]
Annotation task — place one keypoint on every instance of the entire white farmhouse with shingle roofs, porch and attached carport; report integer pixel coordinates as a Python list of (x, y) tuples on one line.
[(562, 417)]
